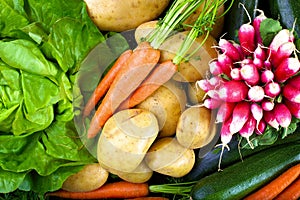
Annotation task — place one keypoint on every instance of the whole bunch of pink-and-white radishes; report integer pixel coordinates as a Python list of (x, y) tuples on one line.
[(253, 85)]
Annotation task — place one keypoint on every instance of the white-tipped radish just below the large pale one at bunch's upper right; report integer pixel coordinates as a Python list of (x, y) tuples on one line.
[(285, 50)]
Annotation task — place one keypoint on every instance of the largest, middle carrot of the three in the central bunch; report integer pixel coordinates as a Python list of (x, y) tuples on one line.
[(136, 69)]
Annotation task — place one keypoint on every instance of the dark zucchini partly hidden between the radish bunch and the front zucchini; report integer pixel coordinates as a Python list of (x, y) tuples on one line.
[(209, 163)]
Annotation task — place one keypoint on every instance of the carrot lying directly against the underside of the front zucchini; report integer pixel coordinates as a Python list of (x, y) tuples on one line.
[(277, 185)]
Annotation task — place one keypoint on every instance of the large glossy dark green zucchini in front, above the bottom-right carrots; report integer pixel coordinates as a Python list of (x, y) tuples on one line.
[(242, 178)]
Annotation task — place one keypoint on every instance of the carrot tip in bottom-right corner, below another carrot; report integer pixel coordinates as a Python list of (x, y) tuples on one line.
[(292, 192)]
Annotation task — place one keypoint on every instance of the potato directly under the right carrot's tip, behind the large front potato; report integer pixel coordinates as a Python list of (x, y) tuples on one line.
[(166, 103)]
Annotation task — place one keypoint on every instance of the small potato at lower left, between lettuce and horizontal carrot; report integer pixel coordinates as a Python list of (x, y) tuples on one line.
[(91, 177)]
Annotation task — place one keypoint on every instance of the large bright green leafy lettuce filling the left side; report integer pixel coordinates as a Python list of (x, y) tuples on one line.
[(42, 46)]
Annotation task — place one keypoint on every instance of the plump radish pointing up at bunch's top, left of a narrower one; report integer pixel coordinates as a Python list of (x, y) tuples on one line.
[(246, 35)]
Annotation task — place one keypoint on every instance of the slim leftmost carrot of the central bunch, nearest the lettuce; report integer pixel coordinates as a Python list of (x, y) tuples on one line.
[(105, 83)]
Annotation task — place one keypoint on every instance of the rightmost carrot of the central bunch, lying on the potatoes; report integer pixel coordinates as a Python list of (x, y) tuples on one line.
[(161, 74)]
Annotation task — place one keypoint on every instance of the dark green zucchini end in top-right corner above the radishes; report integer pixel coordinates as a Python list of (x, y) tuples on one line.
[(286, 11)]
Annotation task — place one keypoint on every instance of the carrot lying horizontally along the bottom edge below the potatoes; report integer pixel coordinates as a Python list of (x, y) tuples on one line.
[(121, 189)]
